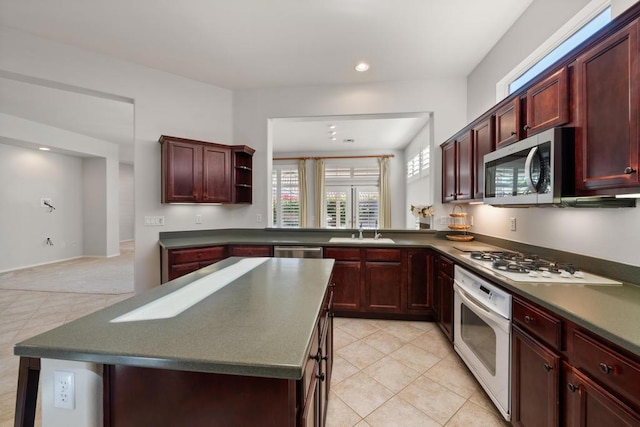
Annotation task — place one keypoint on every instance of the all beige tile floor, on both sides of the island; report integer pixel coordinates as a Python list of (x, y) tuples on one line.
[(386, 373)]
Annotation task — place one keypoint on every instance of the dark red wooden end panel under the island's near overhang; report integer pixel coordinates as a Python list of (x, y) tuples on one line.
[(144, 396)]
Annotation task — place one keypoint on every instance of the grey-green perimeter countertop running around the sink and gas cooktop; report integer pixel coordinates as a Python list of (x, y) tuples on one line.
[(613, 312)]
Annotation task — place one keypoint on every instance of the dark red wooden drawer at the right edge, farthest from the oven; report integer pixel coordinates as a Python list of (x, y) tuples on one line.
[(610, 368)]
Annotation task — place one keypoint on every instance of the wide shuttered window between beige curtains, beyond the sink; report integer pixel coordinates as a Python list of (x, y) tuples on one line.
[(351, 196)]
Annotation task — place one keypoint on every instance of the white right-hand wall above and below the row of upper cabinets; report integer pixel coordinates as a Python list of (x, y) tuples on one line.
[(610, 234)]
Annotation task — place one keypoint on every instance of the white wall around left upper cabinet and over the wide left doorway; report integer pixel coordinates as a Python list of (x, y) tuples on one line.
[(164, 104)]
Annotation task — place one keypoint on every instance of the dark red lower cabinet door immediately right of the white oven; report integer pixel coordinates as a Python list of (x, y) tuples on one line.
[(535, 382)]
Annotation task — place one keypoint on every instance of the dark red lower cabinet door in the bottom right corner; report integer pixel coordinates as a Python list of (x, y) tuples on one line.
[(588, 404)]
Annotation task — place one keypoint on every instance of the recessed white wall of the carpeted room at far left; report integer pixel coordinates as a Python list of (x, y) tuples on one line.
[(26, 176)]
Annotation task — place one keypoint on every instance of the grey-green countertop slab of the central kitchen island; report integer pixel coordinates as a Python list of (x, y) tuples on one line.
[(259, 324)]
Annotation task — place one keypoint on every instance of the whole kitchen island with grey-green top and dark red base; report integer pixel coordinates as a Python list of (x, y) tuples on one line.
[(241, 342)]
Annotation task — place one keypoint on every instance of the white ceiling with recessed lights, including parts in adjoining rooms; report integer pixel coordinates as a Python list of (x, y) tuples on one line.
[(245, 44)]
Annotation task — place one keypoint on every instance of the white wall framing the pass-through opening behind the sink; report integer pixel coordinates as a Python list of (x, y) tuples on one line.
[(446, 98)]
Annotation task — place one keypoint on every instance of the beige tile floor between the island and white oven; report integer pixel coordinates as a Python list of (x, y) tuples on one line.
[(394, 373)]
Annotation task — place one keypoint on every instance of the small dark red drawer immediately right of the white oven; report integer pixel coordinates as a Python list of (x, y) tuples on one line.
[(538, 322)]
